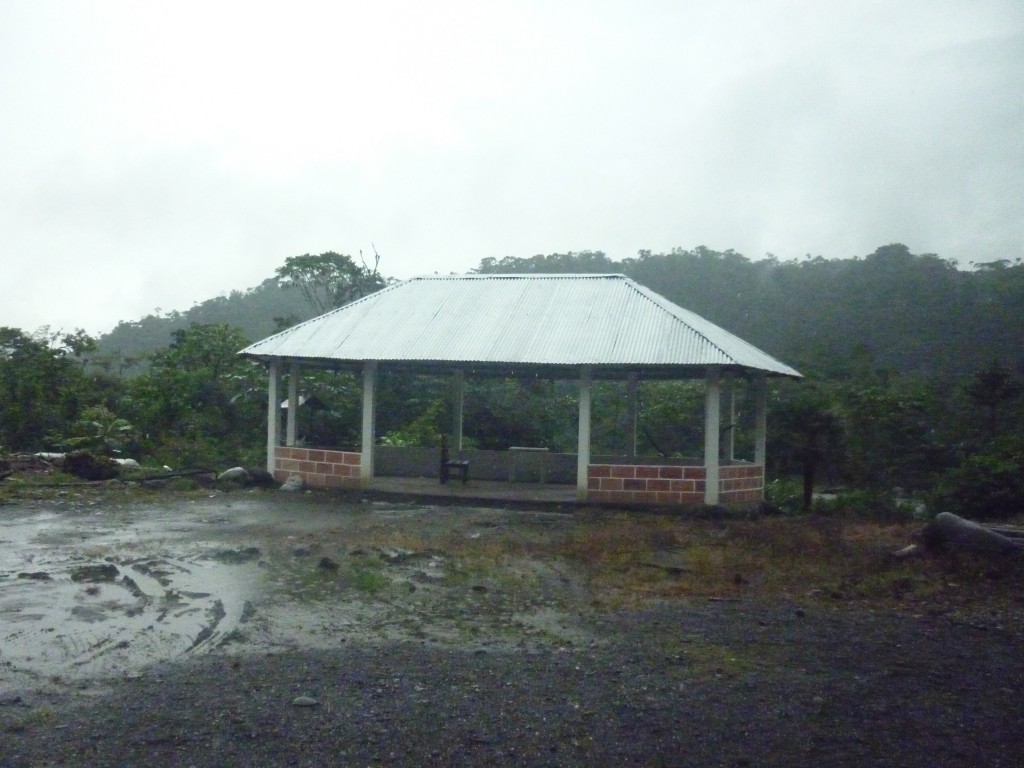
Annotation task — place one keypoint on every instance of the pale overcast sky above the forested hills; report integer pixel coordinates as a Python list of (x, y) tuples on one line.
[(158, 155)]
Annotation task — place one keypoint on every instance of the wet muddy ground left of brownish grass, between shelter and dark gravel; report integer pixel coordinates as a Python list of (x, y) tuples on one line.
[(92, 589)]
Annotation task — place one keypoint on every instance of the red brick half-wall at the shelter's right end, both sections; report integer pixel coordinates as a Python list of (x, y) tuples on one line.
[(672, 487)]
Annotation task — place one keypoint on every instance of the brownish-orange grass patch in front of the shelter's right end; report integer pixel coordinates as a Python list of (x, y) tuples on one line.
[(631, 559)]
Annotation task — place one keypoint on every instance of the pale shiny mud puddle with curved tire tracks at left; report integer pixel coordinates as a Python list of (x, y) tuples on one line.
[(81, 598)]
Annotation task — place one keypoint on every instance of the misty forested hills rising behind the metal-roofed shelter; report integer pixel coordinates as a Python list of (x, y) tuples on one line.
[(912, 314)]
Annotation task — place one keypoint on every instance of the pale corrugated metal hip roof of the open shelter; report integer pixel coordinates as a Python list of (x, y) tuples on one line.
[(519, 320)]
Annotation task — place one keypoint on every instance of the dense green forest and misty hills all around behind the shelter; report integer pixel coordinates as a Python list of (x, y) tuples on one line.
[(913, 375)]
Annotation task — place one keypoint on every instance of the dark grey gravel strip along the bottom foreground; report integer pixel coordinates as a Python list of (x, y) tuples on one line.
[(696, 684)]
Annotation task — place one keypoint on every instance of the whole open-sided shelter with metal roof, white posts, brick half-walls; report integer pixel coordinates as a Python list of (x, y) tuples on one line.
[(568, 327)]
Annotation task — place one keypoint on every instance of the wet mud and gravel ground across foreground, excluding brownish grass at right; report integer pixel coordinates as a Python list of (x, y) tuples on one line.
[(260, 628)]
